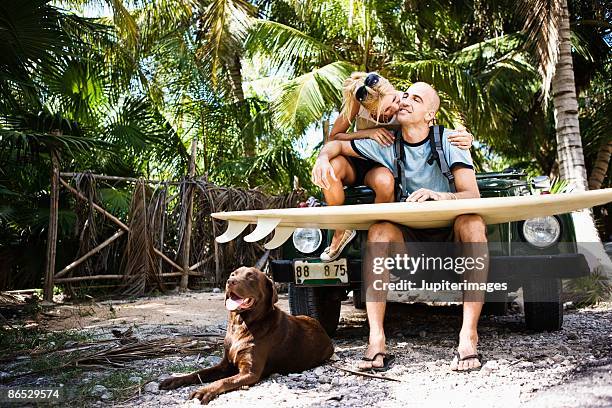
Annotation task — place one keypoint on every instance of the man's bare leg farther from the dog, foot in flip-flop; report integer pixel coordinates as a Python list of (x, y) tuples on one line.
[(471, 229)]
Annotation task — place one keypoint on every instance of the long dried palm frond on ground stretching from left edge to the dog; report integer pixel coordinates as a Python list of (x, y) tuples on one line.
[(114, 353)]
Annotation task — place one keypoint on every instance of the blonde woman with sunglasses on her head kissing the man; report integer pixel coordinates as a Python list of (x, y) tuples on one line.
[(371, 102)]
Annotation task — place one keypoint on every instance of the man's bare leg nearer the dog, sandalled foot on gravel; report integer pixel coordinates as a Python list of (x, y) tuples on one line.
[(376, 300)]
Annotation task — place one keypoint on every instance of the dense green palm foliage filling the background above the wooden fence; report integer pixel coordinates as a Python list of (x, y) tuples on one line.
[(130, 91)]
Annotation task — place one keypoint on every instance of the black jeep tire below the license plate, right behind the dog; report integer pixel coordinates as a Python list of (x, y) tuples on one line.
[(322, 304)]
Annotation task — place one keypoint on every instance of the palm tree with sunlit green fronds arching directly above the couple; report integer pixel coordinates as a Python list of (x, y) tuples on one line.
[(479, 73)]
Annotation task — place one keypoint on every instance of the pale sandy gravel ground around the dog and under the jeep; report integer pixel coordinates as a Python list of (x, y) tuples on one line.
[(568, 368)]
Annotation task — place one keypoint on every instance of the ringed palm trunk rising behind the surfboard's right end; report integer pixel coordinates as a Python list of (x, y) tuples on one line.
[(569, 144)]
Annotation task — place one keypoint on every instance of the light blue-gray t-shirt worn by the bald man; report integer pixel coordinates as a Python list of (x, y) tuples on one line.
[(419, 174)]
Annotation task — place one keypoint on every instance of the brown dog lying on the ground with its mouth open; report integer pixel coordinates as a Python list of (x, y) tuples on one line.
[(261, 339)]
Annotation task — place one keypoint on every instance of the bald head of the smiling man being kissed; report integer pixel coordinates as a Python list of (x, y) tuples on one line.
[(419, 104)]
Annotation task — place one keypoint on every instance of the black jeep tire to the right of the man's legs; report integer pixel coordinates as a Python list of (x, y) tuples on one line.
[(543, 315)]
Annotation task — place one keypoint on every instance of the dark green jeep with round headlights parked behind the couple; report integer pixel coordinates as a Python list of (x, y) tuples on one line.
[(537, 262)]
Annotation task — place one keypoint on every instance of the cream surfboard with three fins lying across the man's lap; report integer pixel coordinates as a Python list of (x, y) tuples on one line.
[(429, 214)]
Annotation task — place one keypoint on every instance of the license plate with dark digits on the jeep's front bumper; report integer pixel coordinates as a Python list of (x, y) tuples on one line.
[(316, 272)]
